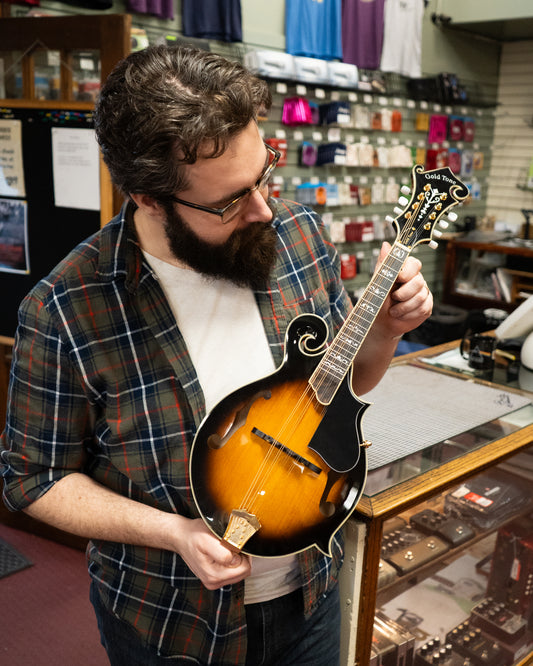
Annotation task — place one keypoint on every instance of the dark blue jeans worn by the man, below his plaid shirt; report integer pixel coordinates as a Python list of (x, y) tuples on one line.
[(278, 634)]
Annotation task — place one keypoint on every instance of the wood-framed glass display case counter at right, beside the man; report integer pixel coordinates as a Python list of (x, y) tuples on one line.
[(439, 555)]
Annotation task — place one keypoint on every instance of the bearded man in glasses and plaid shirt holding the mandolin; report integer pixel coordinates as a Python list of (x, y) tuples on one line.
[(122, 350)]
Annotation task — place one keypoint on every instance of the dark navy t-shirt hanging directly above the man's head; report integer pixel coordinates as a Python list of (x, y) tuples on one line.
[(212, 19)]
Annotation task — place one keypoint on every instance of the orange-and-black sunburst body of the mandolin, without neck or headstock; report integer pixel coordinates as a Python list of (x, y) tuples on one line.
[(272, 451)]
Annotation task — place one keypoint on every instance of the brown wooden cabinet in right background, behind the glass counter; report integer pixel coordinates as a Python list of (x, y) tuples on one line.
[(474, 272)]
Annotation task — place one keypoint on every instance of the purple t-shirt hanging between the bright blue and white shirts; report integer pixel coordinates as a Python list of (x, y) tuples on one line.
[(362, 32)]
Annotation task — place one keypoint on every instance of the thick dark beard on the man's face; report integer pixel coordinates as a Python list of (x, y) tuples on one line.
[(246, 258)]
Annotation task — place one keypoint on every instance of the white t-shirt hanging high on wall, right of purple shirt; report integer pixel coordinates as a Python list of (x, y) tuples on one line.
[(402, 37)]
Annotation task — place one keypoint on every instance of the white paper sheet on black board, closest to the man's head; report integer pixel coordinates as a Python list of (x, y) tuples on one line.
[(75, 163)]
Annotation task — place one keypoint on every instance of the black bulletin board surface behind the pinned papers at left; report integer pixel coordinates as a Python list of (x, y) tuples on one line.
[(52, 231)]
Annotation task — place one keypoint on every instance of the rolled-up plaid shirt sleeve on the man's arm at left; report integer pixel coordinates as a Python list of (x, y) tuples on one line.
[(48, 413)]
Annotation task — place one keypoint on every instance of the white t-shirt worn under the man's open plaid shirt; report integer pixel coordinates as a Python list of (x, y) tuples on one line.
[(222, 328)]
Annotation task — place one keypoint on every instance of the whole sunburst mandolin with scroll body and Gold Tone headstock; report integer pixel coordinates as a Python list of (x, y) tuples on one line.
[(279, 465)]
